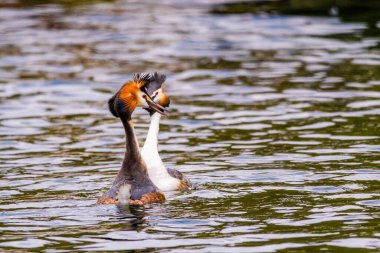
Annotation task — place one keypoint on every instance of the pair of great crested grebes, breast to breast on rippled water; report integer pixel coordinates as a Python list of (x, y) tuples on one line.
[(143, 177)]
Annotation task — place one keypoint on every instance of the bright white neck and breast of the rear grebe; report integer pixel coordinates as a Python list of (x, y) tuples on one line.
[(156, 169)]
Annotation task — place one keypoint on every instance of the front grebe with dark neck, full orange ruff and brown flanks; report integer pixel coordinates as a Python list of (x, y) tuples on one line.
[(132, 184)]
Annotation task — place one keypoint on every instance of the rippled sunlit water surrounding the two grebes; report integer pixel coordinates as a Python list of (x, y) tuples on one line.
[(275, 119)]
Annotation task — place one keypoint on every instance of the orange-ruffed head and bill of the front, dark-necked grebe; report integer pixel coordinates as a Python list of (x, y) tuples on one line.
[(133, 94)]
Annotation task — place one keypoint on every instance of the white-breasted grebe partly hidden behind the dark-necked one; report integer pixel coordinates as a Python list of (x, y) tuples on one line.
[(165, 179)]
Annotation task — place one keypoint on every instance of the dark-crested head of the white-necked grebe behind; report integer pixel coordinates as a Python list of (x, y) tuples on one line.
[(156, 90)]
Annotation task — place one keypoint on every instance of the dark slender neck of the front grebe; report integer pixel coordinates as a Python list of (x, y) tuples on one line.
[(133, 164)]
